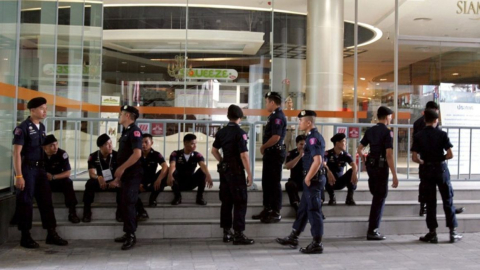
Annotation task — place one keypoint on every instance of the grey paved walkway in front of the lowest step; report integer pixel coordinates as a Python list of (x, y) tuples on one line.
[(398, 252)]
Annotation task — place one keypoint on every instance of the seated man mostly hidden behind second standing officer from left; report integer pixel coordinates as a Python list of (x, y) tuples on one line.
[(152, 181)]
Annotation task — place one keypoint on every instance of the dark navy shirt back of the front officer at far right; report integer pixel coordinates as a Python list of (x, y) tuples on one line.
[(430, 144)]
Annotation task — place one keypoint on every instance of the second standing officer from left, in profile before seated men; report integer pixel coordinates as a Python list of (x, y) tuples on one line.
[(129, 173)]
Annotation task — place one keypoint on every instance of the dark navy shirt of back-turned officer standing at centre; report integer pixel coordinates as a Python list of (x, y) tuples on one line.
[(233, 141)]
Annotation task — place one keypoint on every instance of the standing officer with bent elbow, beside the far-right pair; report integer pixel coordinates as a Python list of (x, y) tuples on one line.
[(379, 160)]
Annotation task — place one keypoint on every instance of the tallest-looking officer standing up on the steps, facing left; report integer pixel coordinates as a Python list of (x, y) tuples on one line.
[(273, 151)]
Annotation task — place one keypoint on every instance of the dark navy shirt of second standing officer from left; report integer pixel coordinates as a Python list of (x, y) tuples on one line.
[(131, 139)]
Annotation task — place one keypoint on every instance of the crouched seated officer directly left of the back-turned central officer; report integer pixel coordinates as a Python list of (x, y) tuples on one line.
[(182, 175)]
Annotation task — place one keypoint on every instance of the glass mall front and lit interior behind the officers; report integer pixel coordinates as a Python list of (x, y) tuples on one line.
[(183, 62)]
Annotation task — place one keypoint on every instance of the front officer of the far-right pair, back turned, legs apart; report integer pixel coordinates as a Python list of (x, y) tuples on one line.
[(430, 143)]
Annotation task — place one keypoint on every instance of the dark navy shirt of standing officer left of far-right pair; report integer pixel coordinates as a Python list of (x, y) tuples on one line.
[(380, 138)]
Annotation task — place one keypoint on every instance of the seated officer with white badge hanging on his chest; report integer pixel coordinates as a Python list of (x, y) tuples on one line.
[(102, 165)]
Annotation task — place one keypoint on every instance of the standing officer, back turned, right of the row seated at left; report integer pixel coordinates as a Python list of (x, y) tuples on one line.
[(233, 185)]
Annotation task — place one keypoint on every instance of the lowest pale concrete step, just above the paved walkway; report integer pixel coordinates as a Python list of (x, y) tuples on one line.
[(210, 228)]
